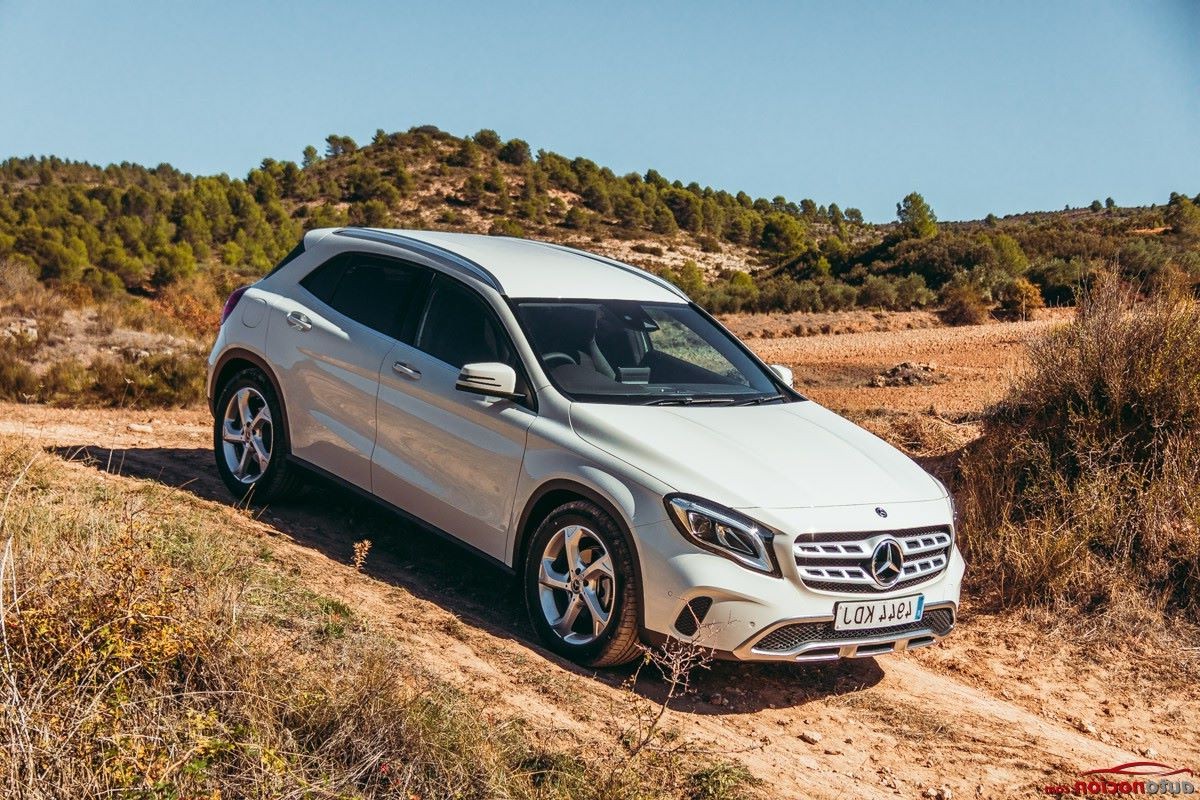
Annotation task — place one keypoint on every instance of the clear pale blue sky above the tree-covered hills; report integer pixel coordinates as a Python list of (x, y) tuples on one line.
[(981, 107)]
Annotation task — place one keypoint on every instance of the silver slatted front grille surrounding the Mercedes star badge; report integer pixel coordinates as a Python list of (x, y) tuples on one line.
[(842, 562)]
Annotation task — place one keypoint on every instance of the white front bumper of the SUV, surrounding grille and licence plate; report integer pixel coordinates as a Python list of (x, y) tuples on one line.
[(752, 617)]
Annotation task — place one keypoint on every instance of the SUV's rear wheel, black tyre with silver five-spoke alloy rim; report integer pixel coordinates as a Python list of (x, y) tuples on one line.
[(238, 456)]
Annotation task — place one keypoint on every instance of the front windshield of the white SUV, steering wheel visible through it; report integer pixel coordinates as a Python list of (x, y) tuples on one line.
[(629, 352)]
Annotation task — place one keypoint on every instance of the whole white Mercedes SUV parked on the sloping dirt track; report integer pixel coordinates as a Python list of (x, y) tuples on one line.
[(583, 424)]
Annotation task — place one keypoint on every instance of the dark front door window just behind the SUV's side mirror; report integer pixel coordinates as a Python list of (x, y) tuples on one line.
[(460, 329)]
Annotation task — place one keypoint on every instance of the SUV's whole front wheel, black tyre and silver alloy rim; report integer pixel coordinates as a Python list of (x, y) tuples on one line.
[(551, 593)]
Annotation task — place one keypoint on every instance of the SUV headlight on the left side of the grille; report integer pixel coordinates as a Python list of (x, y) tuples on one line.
[(724, 532)]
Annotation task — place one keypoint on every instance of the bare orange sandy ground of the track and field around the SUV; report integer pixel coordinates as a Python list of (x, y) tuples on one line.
[(1000, 709)]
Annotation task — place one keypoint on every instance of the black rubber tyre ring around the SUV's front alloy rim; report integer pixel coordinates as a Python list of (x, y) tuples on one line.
[(603, 527)]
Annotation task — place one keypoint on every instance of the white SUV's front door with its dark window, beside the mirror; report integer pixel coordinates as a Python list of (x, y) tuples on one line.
[(451, 458)]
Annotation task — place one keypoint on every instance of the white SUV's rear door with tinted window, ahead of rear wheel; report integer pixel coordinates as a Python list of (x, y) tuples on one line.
[(337, 327)]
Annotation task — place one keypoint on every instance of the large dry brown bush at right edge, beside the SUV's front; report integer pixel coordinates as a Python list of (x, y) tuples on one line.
[(1085, 490)]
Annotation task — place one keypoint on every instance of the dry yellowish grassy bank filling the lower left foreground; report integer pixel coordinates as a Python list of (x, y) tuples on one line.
[(146, 652)]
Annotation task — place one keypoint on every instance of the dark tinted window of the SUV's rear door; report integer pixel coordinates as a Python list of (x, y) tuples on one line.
[(375, 292)]
